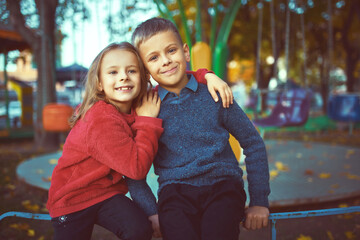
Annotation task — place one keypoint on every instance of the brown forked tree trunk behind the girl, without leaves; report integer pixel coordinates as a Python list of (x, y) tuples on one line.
[(42, 42)]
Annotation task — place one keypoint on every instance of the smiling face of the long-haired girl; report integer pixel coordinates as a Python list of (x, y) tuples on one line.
[(120, 78)]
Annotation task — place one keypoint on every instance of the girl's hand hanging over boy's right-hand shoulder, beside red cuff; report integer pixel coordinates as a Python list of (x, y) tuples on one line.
[(216, 84)]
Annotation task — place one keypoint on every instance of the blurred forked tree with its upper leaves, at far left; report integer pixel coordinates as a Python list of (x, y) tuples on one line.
[(37, 22)]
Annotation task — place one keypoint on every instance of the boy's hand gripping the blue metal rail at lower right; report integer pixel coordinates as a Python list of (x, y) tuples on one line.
[(256, 217)]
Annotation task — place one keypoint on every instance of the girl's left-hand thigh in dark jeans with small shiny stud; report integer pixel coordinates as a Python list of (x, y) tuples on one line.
[(75, 226)]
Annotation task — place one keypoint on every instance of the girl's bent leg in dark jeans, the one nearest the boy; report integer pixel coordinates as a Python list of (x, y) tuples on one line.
[(124, 218)]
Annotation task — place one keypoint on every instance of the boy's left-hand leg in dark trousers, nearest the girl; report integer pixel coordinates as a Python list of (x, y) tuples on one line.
[(179, 216)]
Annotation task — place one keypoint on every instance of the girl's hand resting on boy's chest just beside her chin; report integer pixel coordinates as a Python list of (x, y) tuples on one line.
[(150, 105)]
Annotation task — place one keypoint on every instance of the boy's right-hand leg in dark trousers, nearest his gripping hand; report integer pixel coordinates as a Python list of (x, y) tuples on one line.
[(223, 211)]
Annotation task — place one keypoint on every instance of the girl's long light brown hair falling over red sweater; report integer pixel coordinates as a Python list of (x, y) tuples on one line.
[(92, 80)]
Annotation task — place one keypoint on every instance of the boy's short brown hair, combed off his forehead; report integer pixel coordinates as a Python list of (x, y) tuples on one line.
[(150, 27)]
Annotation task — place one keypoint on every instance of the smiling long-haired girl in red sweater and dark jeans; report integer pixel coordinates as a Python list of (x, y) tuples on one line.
[(108, 141)]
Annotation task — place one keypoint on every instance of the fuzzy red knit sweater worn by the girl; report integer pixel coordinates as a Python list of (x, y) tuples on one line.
[(99, 151)]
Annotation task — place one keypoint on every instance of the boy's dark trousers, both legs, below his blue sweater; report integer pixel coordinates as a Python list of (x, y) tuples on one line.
[(207, 212)]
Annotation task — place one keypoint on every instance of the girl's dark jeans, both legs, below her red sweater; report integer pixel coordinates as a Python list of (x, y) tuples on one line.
[(118, 214)]
